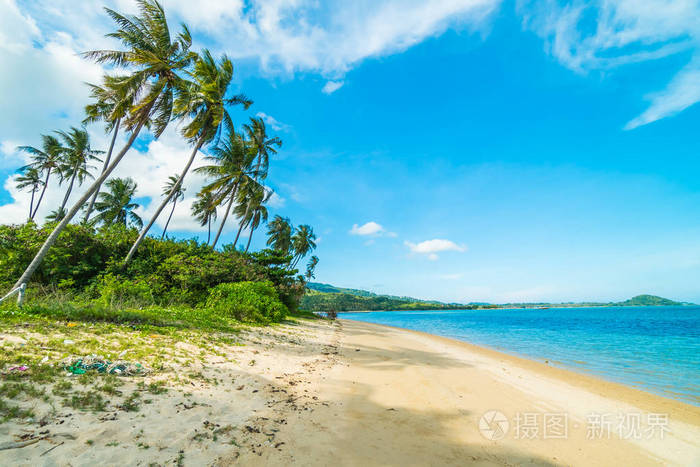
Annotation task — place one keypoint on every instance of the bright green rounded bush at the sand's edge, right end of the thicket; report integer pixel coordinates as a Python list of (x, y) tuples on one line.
[(253, 302)]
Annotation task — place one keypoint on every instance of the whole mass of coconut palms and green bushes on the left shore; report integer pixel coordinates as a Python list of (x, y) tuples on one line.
[(104, 259)]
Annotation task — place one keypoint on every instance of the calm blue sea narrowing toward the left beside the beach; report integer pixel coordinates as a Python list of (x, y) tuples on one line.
[(653, 348)]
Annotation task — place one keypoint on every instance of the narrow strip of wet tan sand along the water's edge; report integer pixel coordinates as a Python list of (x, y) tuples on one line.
[(647, 400)]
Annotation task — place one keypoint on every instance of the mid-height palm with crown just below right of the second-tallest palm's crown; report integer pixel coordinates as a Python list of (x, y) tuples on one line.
[(231, 166)]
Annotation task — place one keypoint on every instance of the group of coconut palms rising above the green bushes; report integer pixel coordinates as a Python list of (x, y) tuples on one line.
[(161, 80)]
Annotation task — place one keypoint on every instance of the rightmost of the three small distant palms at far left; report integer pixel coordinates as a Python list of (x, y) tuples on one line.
[(77, 154)]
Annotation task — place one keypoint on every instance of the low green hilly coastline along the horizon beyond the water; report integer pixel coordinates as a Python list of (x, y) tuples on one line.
[(326, 297)]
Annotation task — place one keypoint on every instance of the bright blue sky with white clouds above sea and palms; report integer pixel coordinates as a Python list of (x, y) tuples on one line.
[(461, 151)]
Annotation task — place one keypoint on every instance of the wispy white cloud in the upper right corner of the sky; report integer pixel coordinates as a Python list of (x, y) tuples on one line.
[(623, 32)]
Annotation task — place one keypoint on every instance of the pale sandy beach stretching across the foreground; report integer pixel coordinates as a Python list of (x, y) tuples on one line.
[(350, 393)]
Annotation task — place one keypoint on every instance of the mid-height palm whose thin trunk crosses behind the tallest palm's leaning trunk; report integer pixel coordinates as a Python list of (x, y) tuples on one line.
[(111, 104)]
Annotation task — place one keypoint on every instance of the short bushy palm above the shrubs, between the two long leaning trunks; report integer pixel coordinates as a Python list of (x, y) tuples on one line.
[(116, 206)]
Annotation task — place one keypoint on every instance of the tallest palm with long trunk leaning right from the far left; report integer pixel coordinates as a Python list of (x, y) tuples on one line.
[(154, 58)]
